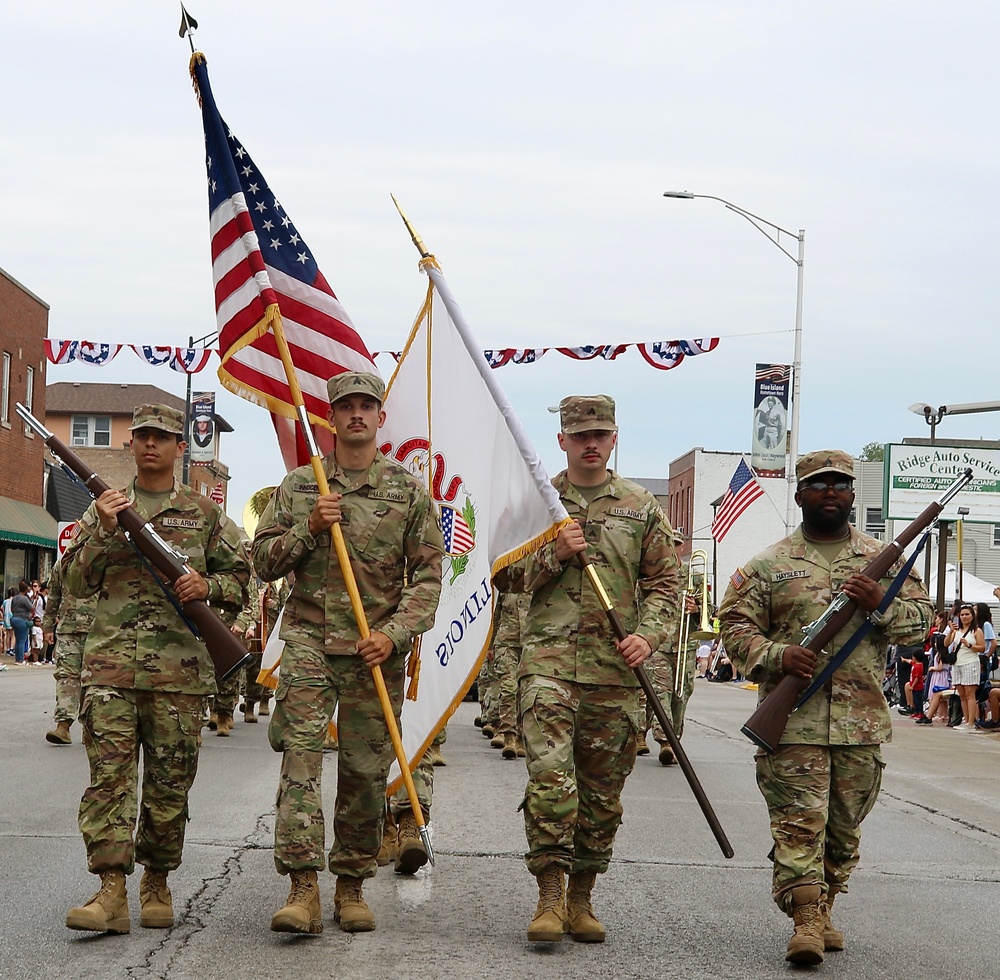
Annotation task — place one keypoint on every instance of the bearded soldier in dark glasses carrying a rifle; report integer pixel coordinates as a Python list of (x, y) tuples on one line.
[(825, 775)]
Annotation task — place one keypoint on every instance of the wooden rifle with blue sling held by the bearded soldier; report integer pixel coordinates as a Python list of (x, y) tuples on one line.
[(767, 724)]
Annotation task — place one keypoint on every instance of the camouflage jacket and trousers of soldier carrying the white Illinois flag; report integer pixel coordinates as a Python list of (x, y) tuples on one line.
[(578, 700)]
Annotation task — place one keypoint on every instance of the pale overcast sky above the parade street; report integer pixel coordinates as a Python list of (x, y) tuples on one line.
[(530, 144)]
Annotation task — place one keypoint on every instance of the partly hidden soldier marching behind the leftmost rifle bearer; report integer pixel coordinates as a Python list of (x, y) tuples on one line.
[(66, 623)]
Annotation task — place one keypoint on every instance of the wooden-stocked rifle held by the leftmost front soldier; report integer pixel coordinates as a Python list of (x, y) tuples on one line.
[(227, 652)]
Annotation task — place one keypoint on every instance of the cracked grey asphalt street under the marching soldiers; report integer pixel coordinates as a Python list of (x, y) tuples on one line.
[(923, 901)]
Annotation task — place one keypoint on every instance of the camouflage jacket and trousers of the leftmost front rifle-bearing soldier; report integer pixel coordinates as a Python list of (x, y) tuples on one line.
[(145, 677)]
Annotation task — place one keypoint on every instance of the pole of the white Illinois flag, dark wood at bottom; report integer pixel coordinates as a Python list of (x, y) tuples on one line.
[(559, 516)]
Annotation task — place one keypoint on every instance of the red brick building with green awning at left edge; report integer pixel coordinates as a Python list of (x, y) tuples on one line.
[(27, 530)]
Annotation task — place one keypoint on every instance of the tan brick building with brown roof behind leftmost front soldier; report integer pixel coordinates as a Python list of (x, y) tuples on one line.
[(93, 420)]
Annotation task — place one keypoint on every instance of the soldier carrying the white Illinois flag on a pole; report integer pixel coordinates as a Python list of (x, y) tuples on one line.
[(577, 693)]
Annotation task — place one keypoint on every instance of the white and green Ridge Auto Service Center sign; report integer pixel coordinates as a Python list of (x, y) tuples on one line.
[(917, 475)]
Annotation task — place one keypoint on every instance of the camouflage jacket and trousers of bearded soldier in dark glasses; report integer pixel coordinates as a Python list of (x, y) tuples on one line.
[(825, 776)]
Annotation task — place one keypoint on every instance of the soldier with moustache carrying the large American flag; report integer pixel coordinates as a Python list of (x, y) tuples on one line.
[(392, 534)]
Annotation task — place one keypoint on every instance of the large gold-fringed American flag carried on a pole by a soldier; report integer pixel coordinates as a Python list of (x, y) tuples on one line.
[(259, 261)]
